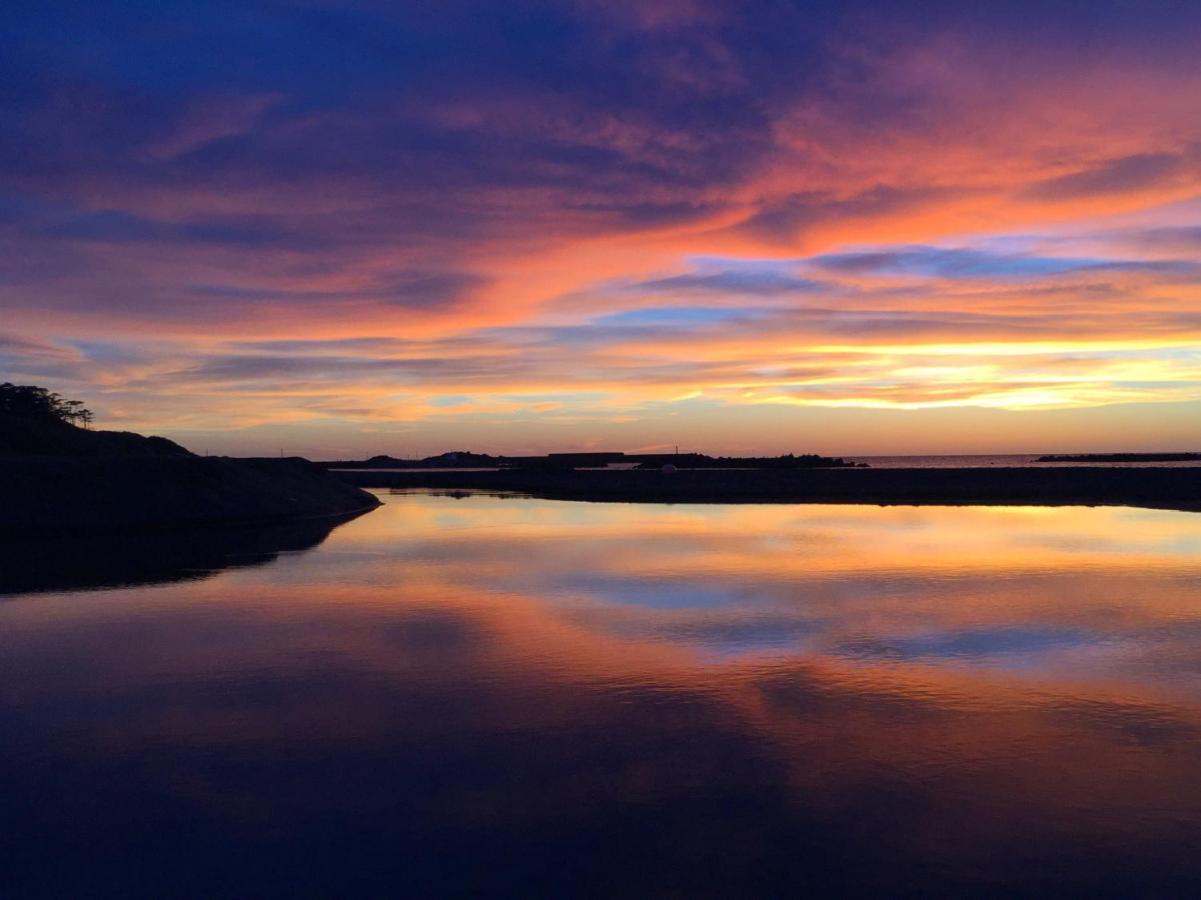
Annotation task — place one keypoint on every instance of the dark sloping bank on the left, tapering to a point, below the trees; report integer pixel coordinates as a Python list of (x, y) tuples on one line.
[(57, 479)]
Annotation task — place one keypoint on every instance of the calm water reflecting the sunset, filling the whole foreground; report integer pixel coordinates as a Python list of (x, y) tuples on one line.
[(488, 696)]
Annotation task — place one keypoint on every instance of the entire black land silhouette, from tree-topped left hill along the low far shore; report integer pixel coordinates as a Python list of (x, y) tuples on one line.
[(58, 479)]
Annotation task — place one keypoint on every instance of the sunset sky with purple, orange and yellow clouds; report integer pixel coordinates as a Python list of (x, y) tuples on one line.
[(348, 229)]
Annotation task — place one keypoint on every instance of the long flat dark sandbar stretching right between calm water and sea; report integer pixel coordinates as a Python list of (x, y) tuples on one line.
[(1149, 487)]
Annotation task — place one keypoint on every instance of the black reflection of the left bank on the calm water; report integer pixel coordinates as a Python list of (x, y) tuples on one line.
[(41, 565)]
